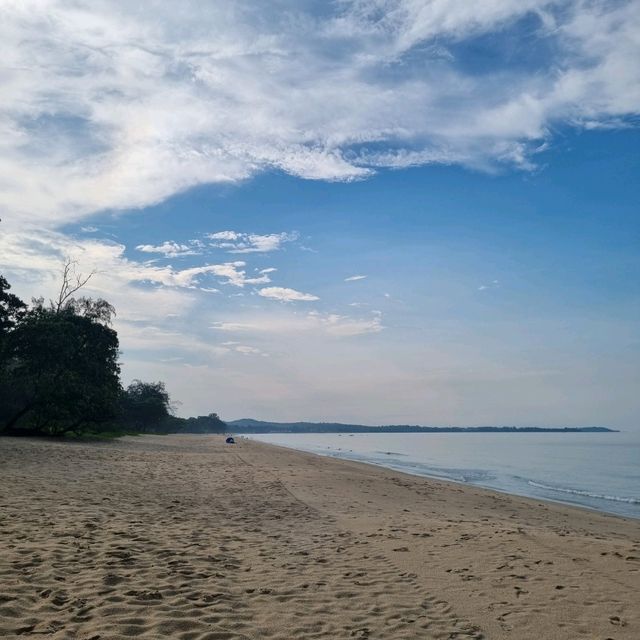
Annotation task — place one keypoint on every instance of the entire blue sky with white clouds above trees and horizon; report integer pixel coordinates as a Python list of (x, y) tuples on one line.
[(379, 212)]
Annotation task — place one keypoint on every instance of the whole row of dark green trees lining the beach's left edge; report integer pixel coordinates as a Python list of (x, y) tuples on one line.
[(59, 371)]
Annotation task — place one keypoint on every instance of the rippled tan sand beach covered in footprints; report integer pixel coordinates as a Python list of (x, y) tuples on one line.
[(186, 537)]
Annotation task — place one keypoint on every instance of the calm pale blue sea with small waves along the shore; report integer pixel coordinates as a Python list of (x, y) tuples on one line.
[(599, 471)]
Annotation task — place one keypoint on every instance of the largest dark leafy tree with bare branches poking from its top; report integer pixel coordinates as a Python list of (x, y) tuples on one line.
[(60, 368)]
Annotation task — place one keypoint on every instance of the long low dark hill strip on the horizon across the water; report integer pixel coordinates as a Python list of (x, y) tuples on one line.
[(249, 425)]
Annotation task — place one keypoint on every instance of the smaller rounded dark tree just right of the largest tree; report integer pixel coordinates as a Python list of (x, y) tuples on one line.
[(145, 405)]
